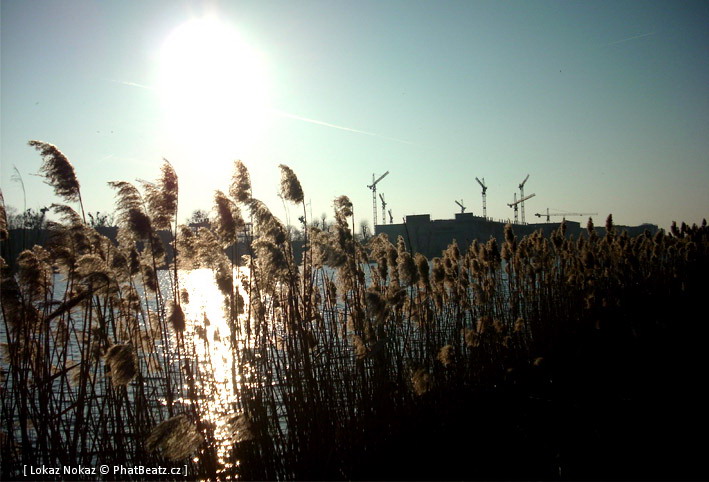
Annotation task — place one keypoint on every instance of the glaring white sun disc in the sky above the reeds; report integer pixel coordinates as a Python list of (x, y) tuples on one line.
[(213, 89)]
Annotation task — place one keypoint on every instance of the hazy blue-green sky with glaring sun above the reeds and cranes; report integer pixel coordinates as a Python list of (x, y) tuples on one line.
[(605, 104)]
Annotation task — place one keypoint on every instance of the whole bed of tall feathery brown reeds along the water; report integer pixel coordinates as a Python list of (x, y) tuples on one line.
[(363, 361)]
